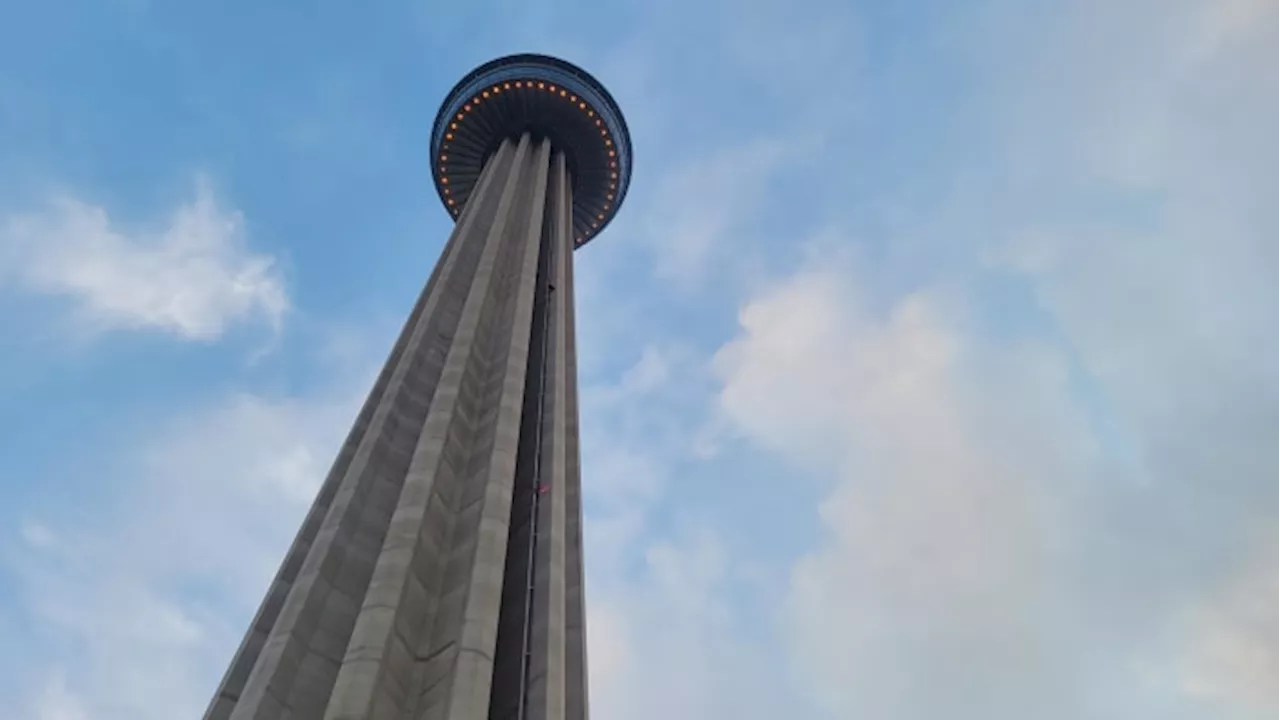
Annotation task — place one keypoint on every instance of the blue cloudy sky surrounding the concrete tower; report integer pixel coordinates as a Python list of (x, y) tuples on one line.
[(929, 371)]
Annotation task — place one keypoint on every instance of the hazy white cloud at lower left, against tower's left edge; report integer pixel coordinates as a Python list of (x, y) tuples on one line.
[(156, 593)]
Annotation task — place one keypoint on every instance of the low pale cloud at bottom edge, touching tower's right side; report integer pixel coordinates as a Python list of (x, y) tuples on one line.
[(673, 642)]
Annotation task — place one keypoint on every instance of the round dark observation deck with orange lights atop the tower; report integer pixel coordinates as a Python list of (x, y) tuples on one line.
[(550, 98)]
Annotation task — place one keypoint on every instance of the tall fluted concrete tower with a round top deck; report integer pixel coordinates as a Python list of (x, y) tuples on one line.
[(438, 576)]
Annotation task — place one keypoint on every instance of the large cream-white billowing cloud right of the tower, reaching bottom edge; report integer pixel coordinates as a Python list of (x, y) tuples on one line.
[(936, 585)]
